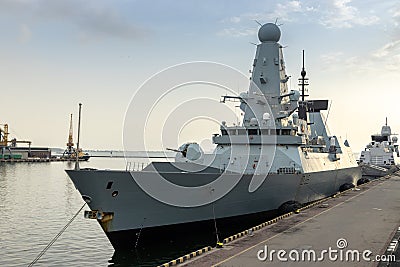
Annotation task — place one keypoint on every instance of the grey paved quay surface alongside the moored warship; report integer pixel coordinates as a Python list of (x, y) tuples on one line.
[(362, 220)]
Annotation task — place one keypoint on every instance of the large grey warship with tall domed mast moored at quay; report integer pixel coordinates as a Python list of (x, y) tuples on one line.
[(280, 156)]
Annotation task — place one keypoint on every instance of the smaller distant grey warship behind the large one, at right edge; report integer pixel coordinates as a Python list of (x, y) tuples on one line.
[(381, 156)]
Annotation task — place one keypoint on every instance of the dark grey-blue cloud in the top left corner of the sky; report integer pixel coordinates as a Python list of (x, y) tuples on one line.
[(90, 18)]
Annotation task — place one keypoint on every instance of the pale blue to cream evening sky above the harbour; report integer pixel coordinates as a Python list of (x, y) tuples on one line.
[(56, 54)]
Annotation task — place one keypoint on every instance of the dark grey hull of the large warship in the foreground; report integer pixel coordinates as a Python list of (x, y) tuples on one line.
[(133, 209)]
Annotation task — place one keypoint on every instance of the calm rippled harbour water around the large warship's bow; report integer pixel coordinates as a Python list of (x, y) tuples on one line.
[(36, 202)]
